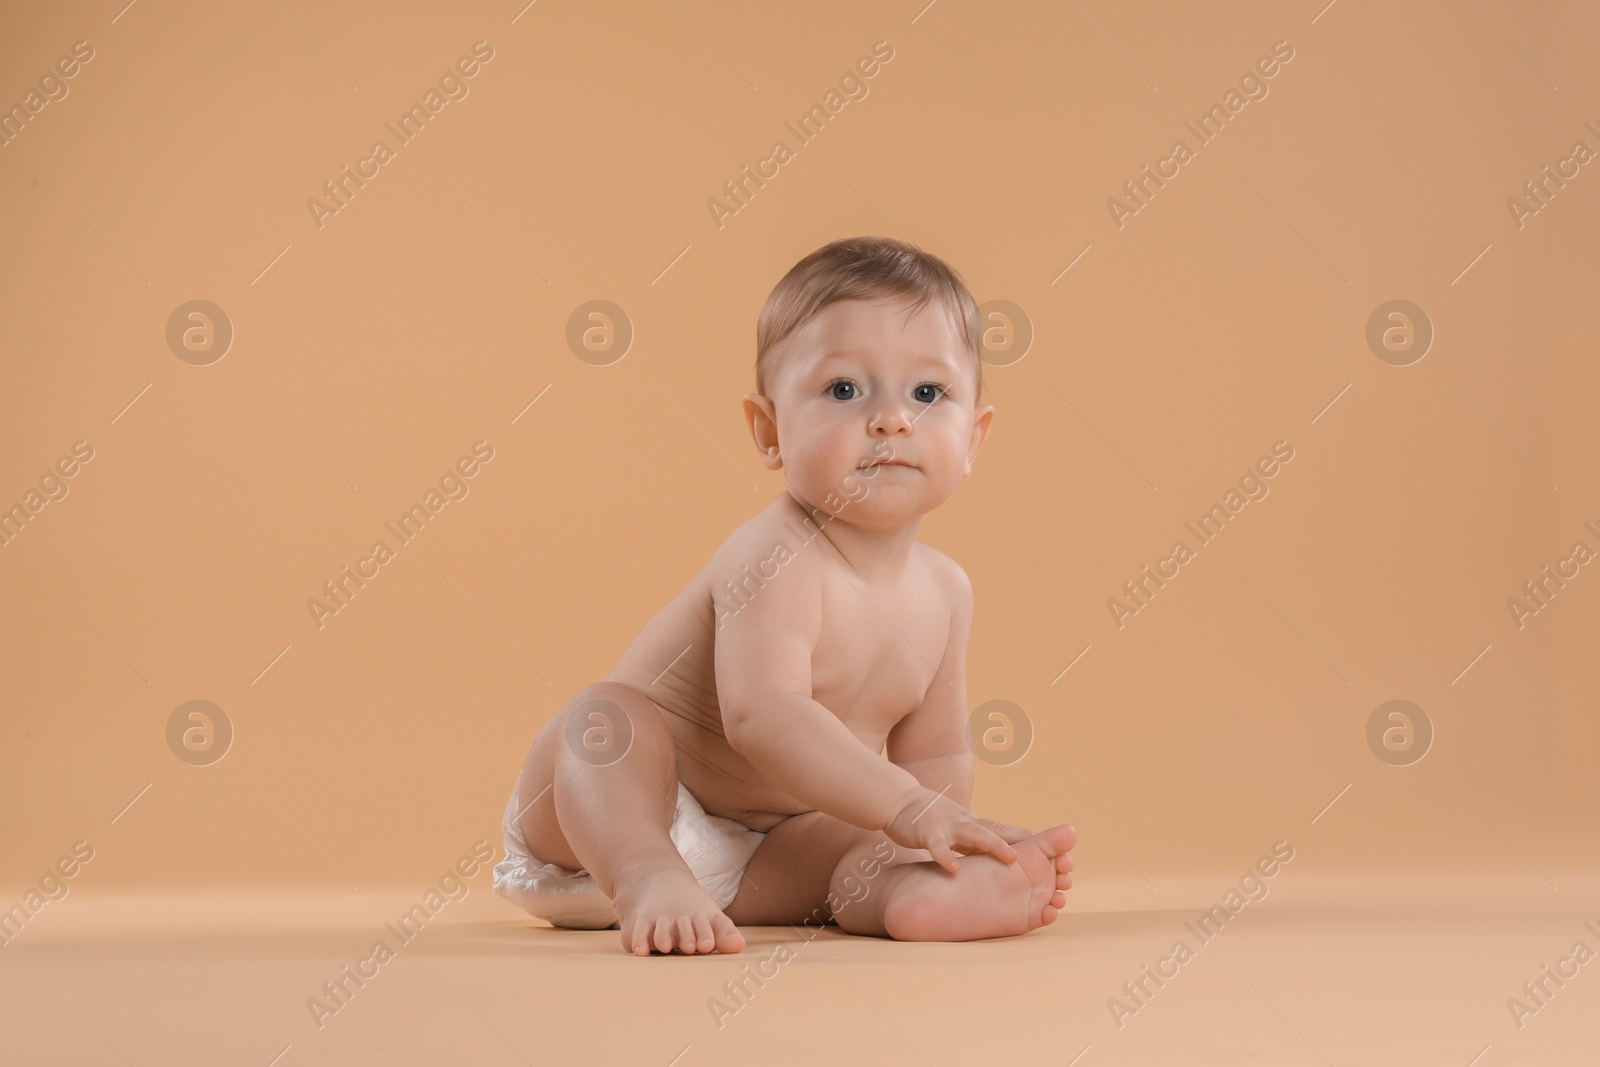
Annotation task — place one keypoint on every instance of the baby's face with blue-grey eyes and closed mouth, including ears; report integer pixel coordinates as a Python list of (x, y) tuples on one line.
[(876, 409)]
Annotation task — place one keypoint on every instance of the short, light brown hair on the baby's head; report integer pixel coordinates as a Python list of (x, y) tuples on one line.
[(863, 268)]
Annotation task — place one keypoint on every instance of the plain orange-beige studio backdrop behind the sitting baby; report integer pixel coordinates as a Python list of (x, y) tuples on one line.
[(433, 310)]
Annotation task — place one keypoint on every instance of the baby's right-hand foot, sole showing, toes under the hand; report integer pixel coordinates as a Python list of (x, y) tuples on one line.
[(986, 898)]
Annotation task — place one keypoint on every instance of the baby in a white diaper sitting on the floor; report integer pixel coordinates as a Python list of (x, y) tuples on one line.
[(732, 767)]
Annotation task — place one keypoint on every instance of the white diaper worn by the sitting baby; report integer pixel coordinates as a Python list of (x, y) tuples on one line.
[(716, 850)]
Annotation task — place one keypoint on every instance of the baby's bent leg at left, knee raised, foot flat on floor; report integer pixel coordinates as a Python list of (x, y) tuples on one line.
[(612, 765)]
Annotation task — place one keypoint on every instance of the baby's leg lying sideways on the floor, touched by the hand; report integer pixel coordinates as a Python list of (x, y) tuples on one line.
[(814, 863)]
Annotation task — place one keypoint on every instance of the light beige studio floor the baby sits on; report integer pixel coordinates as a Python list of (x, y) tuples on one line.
[(1322, 972)]
